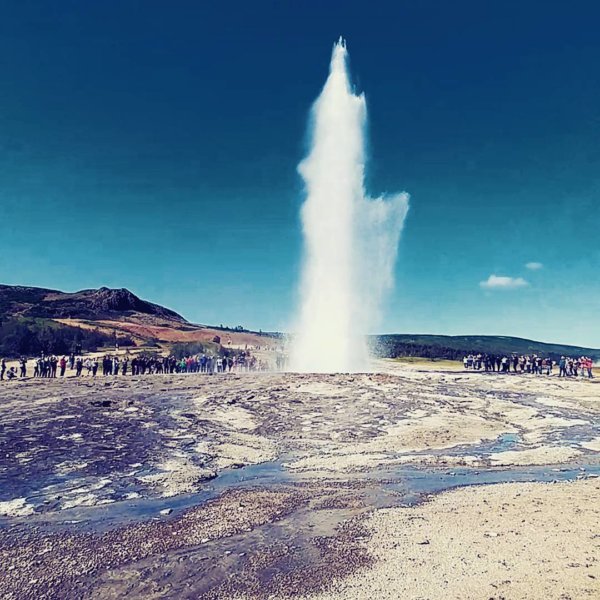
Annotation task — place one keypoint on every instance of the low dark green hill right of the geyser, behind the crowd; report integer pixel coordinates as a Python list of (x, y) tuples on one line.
[(456, 346)]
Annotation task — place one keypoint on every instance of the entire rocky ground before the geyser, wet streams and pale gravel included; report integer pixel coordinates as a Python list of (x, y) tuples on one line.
[(279, 485)]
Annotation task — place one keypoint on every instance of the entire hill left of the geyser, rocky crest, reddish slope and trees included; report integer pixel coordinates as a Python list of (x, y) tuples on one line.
[(34, 320)]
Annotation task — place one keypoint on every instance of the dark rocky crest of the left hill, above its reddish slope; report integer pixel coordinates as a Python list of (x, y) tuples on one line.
[(103, 303)]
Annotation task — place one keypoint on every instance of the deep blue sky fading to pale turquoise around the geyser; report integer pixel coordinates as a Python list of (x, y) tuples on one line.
[(153, 145)]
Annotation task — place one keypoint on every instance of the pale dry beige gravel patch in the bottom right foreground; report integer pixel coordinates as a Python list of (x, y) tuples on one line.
[(525, 540)]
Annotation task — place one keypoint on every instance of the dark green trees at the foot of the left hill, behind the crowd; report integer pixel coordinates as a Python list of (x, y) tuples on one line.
[(21, 337)]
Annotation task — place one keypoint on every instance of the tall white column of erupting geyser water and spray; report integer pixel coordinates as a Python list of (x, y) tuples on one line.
[(350, 240)]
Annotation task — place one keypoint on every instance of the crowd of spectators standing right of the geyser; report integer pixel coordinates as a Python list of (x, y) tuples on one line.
[(537, 365)]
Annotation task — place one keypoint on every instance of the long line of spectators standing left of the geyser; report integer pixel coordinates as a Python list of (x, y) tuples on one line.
[(52, 366)]
